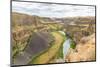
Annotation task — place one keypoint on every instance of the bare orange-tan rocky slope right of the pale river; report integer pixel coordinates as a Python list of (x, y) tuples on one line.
[(84, 51)]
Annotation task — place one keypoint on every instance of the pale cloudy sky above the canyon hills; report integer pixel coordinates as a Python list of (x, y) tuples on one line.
[(52, 10)]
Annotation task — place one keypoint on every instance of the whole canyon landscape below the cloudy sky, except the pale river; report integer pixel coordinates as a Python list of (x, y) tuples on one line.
[(34, 37)]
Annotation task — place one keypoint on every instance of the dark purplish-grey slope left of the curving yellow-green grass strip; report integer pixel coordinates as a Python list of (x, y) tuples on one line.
[(39, 42)]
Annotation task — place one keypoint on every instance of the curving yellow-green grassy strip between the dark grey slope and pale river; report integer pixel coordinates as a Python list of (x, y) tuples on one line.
[(51, 52)]
